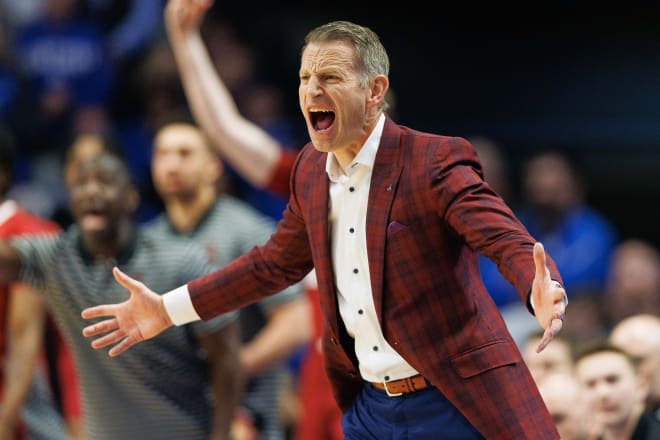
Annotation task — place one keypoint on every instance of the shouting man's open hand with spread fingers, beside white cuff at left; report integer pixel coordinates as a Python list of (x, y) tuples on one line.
[(142, 316)]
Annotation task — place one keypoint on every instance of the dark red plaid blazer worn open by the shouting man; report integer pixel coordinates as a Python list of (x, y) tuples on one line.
[(429, 214)]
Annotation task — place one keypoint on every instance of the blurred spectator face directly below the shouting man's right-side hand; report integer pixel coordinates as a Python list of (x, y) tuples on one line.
[(555, 358)]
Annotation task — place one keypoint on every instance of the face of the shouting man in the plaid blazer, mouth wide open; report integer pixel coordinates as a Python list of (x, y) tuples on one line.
[(332, 100)]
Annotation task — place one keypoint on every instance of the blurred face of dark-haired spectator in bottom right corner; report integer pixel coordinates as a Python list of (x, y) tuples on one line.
[(610, 386)]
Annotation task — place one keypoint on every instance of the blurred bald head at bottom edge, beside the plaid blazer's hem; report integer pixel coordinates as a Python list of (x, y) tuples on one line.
[(568, 407)]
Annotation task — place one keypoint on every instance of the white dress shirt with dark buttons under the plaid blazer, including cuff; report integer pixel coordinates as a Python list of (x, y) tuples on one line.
[(349, 193)]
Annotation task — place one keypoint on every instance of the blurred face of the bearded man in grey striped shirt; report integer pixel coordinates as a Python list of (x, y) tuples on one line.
[(182, 163)]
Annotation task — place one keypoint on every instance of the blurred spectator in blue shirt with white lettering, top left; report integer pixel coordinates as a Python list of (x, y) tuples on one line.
[(64, 59)]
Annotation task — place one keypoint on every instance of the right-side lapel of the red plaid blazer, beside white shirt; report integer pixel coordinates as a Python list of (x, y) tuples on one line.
[(384, 180)]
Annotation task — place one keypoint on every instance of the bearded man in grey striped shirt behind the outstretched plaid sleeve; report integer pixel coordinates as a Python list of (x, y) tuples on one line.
[(186, 170)]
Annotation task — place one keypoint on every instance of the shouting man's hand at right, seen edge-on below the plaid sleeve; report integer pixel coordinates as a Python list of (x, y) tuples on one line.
[(549, 299)]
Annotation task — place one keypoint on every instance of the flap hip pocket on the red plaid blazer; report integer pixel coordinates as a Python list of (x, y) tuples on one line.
[(484, 358)]
